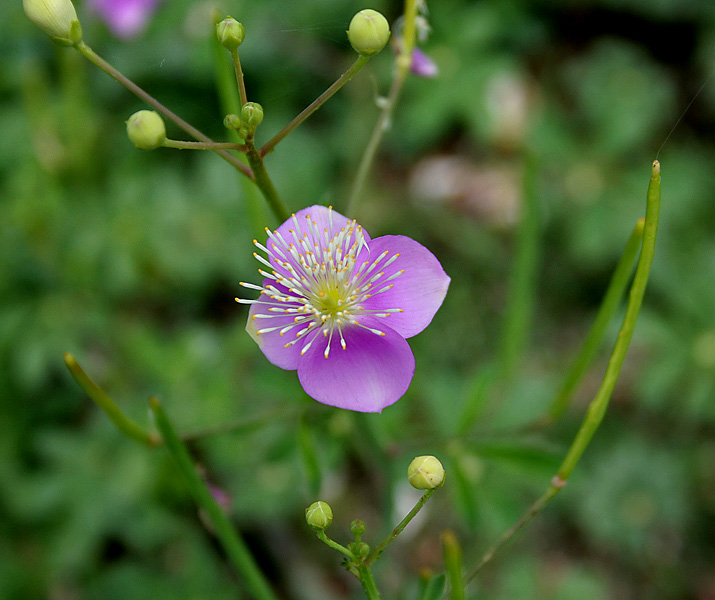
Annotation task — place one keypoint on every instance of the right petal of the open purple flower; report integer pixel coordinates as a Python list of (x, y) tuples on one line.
[(419, 291)]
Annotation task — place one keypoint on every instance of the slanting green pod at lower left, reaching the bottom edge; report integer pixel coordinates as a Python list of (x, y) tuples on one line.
[(229, 537)]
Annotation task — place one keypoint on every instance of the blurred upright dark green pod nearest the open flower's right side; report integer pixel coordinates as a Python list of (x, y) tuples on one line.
[(520, 303)]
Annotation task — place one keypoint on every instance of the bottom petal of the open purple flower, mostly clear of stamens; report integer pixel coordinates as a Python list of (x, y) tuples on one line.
[(372, 372)]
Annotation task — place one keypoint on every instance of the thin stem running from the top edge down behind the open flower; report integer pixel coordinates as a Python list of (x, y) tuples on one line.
[(402, 68)]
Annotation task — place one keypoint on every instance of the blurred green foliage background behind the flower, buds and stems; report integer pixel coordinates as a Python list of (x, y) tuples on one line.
[(131, 260)]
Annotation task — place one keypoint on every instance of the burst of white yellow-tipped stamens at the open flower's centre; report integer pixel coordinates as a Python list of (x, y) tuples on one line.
[(317, 280)]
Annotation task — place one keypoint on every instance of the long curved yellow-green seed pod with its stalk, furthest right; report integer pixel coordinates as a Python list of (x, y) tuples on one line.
[(598, 405)]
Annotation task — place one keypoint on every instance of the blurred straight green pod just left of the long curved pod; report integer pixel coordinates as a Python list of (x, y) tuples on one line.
[(609, 305)]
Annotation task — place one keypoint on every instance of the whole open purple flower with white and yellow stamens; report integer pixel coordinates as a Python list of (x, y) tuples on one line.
[(337, 306)]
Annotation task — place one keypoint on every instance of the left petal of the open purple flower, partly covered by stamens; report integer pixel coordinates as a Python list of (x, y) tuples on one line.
[(272, 343)]
